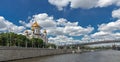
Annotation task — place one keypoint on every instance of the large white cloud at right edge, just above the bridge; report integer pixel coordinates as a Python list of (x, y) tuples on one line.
[(108, 31)]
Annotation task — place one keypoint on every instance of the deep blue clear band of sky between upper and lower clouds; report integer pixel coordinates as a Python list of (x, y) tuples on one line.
[(21, 9)]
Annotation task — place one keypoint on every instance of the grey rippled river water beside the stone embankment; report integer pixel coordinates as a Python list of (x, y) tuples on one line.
[(98, 56)]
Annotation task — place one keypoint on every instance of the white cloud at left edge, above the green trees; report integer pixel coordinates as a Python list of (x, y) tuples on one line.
[(6, 25)]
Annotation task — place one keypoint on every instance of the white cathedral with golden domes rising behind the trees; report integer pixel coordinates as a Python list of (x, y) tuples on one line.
[(36, 32)]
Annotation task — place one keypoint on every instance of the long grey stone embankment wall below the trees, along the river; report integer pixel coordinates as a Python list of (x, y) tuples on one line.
[(13, 53)]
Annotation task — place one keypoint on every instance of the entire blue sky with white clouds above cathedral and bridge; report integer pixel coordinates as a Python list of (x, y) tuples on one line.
[(66, 21)]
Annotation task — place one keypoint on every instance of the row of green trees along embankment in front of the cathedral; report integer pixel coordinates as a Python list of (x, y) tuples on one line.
[(12, 39)]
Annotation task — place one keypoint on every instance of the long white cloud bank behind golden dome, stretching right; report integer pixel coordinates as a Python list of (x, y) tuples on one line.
[(60, 26)]
